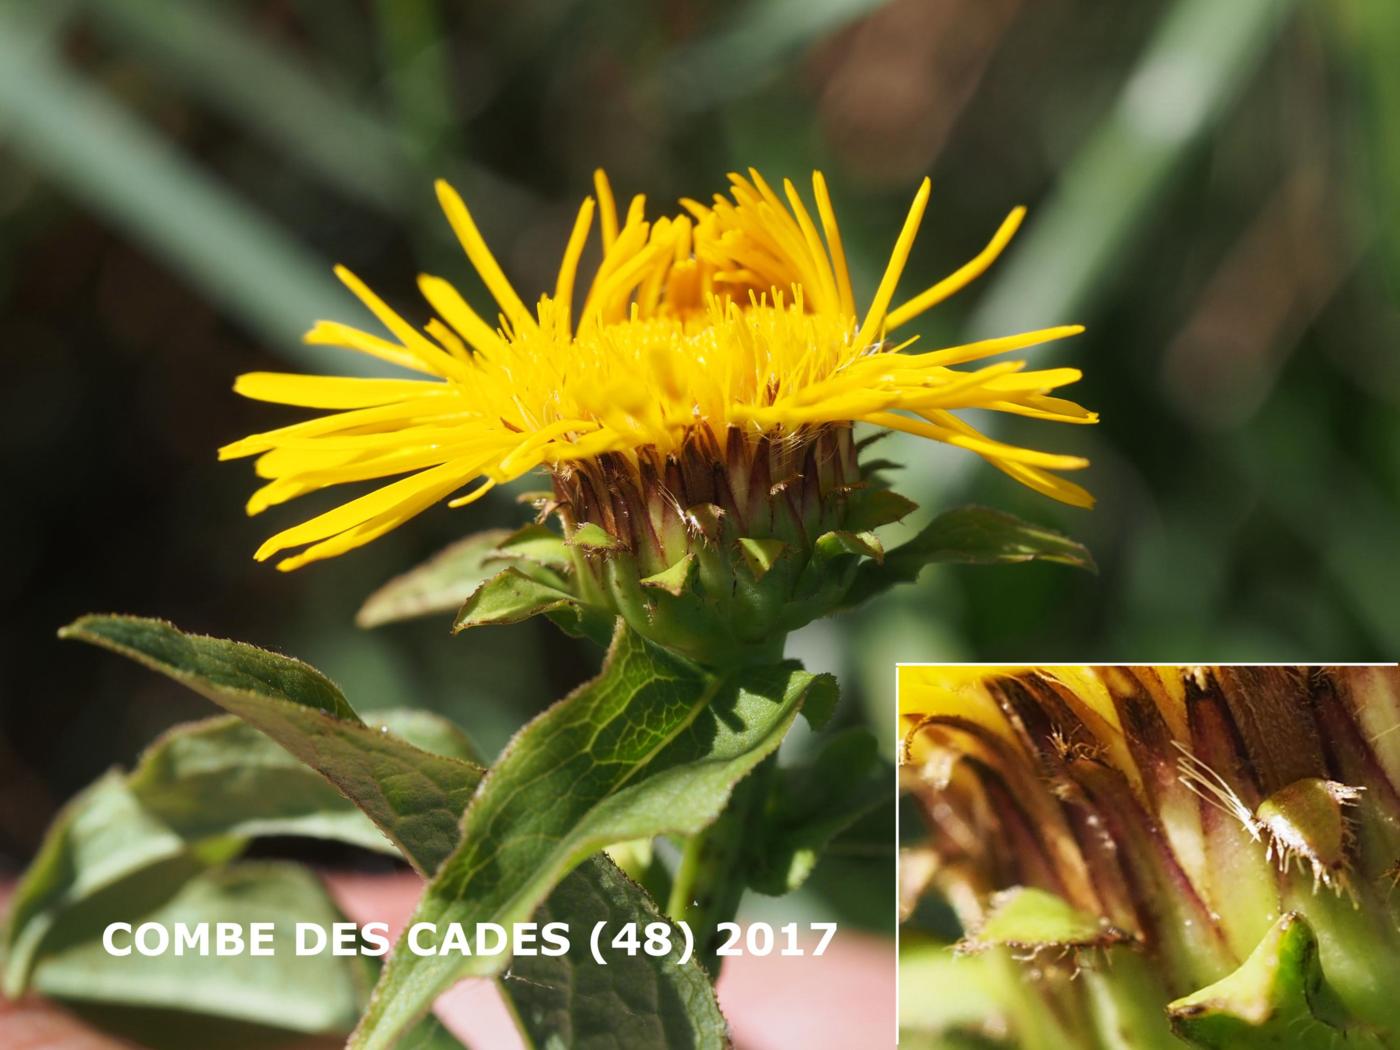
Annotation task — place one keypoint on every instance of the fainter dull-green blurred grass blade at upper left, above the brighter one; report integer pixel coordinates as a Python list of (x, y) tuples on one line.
[(269, 90)]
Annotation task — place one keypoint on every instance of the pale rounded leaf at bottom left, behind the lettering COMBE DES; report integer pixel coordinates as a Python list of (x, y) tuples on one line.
[(311, 993)]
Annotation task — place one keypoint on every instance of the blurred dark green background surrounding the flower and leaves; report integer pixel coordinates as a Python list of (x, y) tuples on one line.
[(1213, 191)]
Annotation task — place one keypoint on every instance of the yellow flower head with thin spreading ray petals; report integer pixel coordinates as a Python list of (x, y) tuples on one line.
[(734, 318)]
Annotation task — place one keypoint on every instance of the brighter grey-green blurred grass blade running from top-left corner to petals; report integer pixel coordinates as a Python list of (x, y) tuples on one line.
[(128, 174)]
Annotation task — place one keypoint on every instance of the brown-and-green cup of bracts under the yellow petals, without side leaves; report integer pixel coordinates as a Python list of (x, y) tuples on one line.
[(722, 549)]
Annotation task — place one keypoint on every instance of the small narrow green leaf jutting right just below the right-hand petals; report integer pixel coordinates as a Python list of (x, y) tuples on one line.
[(968, 535)]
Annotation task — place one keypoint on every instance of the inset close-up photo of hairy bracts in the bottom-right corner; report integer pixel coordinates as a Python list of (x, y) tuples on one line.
[(1150, 857)]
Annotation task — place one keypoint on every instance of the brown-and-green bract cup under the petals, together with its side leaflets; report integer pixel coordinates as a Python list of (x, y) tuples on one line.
[(715, 565)]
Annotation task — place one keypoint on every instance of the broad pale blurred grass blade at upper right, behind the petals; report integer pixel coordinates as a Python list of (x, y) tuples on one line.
[(1198, 62)]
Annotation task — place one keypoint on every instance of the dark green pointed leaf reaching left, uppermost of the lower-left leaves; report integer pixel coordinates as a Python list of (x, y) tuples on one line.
[(412, 796)]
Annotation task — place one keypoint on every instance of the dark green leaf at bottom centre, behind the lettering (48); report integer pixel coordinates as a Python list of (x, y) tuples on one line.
[(635, 1003)]
